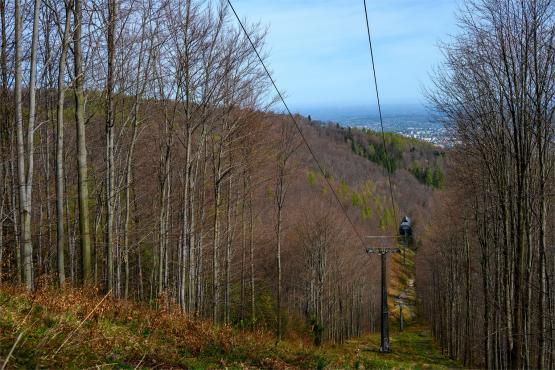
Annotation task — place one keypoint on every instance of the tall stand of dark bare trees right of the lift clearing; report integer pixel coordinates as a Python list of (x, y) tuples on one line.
[(492, 302)]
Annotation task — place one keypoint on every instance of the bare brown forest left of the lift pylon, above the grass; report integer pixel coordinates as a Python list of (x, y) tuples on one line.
[(139, 156)]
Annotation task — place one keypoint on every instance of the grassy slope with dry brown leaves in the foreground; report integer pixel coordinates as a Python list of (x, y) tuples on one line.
[(74, 330)]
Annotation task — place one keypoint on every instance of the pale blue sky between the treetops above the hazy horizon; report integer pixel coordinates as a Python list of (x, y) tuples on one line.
[(318, 49)]
